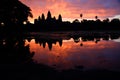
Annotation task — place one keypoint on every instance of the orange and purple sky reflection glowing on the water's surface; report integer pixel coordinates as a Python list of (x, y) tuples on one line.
[(104, 54)]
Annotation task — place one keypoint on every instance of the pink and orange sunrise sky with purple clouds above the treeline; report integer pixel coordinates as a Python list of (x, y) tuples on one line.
[(71, 9)]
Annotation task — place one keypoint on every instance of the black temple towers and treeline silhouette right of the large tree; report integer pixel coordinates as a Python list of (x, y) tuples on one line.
[(56, 24)]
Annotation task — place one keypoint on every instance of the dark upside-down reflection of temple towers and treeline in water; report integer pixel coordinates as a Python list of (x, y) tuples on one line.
[(49, 39)]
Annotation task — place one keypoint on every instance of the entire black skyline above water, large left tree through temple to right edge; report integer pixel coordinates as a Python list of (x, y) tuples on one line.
[(14, 17)]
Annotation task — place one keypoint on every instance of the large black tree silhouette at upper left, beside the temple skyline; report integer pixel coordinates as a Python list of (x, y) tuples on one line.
[(13, 15)]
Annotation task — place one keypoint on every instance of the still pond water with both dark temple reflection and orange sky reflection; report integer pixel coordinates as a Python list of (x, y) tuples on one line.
[(70, 50)]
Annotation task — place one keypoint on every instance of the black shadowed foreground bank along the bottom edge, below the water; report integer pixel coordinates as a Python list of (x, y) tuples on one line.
[(42, 72)]
